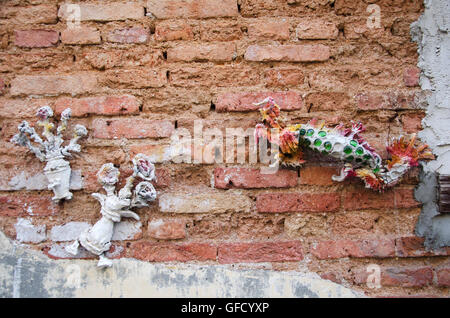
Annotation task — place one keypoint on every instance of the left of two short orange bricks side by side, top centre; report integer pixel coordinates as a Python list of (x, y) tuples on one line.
[(269, 29)]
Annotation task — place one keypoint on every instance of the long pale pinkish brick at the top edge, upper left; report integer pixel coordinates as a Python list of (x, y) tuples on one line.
[(104, 12)]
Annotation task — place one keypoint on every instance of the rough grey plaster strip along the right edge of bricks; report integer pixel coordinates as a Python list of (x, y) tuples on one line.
[(431, 33)]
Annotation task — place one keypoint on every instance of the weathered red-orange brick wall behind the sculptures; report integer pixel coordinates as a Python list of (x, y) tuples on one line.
[(133, 72)]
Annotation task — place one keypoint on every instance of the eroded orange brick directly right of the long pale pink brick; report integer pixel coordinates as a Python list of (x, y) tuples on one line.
[(137, 78)]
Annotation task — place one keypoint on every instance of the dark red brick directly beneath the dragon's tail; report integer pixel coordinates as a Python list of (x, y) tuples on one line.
[(393, 198)]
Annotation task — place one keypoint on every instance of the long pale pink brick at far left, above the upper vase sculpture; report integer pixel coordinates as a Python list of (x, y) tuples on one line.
[(73, 84)]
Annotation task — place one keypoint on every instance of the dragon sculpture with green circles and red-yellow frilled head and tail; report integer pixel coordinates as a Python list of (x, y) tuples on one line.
[(345, 144)]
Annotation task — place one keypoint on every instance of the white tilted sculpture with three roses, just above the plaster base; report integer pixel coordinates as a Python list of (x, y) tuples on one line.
[(97, 239)]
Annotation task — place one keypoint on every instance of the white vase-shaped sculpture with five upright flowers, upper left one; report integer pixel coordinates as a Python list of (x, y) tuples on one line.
[(57, 169)]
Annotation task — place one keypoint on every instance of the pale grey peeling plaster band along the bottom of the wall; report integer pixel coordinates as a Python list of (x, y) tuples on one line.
[(26, 273)]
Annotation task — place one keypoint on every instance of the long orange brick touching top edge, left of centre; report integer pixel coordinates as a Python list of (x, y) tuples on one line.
[(192, 8)]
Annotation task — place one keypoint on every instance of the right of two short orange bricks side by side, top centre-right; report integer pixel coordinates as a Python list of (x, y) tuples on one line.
[(316, 29)]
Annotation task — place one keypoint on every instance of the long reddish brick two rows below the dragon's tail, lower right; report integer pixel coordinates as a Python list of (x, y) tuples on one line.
[(378, 248)]
